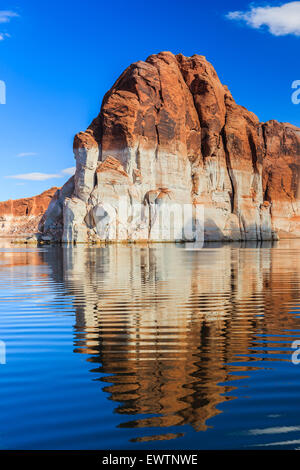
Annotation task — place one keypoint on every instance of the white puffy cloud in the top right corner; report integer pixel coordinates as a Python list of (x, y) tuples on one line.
[(280, 20)]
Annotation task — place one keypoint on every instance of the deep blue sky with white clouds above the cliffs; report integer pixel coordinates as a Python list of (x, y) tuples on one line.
[(58, 58)]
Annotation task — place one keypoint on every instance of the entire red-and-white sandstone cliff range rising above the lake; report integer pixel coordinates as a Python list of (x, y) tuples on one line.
[(170, 133)]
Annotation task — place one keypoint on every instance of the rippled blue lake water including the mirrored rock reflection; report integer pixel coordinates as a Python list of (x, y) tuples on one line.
[(150, 347)]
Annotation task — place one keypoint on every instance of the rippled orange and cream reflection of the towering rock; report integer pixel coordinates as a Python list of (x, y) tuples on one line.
[(166, 323)]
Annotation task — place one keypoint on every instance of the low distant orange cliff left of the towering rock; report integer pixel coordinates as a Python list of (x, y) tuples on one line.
[(22, 216)]
